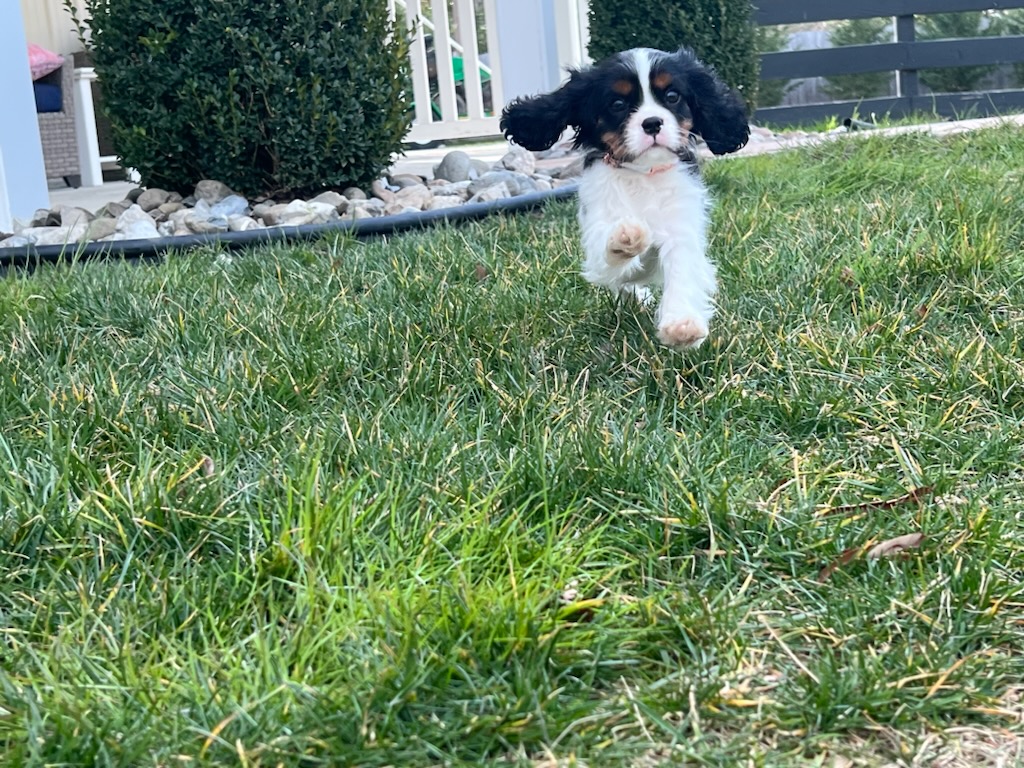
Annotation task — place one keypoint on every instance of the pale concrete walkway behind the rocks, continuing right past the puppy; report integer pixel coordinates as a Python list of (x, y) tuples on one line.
[(422, 162)]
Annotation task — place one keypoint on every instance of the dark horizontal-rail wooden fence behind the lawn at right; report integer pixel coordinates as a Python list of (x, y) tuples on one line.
[(905, 57)]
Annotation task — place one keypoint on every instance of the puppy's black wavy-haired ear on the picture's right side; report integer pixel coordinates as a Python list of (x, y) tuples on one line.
[(719, 112)]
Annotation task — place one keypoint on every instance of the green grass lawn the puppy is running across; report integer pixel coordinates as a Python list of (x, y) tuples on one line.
[(436, 501)]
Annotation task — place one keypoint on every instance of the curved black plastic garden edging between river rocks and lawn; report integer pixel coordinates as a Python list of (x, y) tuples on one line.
[(29, 258)]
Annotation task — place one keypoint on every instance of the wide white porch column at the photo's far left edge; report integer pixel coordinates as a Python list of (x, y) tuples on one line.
[(23, 153)]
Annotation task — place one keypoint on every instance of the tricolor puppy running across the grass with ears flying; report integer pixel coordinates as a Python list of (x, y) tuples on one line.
[(644, 208)]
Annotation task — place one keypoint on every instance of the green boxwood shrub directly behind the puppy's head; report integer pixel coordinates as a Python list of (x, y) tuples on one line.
[(722, 33)]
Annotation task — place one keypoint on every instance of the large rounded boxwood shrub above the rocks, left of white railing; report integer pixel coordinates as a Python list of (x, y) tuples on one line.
[(272, 98)]
